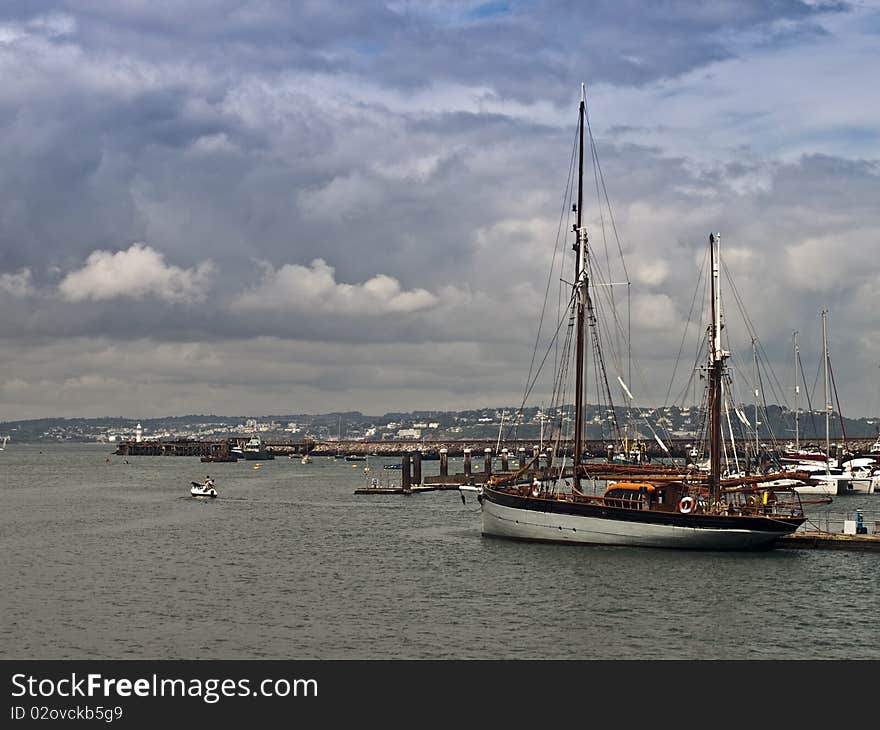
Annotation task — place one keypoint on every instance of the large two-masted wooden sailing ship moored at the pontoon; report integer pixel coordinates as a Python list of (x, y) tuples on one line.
[(642, 505)]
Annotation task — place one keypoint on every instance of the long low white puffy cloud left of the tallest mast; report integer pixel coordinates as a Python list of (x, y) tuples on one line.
[(314, 288)]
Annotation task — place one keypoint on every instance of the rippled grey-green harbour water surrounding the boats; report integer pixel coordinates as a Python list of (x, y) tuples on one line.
[(117, 561)]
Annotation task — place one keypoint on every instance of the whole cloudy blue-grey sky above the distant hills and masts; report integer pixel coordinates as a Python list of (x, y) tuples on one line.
[(265, 206)]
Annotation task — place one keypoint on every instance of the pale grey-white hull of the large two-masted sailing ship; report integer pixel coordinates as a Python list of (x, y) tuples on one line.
[(524, 524)]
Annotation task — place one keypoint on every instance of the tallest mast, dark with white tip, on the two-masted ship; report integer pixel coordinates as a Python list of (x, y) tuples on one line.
[(580, 274)]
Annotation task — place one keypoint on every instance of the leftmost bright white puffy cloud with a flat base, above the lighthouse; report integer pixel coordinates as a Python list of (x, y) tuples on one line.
[(136, 273)]
